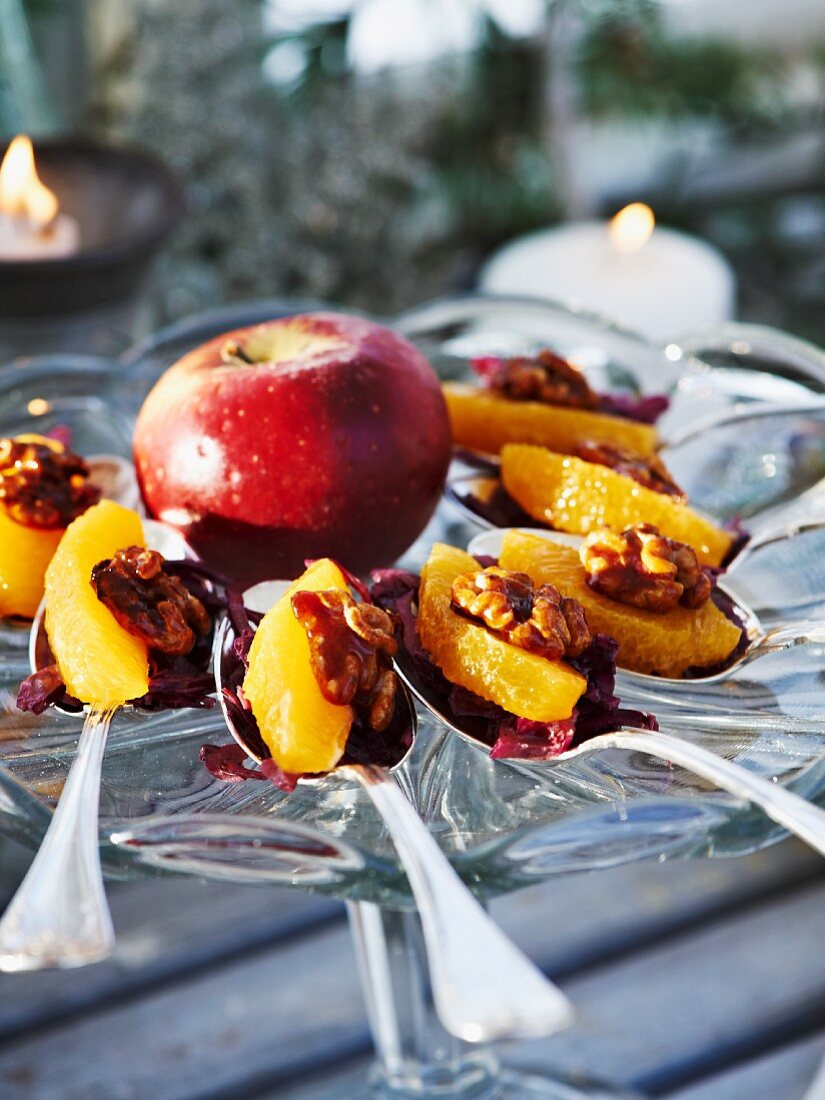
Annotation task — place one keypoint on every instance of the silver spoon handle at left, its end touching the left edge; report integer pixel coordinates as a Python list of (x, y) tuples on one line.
[(60, 916)]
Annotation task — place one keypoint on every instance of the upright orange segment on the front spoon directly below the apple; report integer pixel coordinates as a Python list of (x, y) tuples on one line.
[(303, 730)]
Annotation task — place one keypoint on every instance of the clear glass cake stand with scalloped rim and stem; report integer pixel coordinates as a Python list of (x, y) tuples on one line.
[(503, 826)]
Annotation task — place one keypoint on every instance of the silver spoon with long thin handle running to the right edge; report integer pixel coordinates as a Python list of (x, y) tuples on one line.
[(787, 809)]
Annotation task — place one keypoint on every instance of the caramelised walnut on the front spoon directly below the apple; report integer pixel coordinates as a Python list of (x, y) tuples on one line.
[(351, 647)]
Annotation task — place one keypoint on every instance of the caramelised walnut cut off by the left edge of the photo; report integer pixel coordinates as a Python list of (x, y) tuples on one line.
[(41, 487)]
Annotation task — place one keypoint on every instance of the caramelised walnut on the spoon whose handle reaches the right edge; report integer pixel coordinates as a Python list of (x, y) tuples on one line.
[(510, 606)]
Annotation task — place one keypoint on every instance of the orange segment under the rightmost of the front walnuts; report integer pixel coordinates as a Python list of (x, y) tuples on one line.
[(664, 645)]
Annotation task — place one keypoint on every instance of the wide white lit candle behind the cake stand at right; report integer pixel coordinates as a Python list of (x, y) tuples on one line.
[(653, 280)]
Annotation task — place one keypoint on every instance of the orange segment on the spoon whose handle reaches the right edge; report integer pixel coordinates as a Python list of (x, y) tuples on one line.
[(470, 656)]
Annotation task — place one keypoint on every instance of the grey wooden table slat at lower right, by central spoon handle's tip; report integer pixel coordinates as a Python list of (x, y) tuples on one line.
[(664, 1017)]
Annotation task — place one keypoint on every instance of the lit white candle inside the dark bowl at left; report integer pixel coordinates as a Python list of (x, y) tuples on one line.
[(31, 227)]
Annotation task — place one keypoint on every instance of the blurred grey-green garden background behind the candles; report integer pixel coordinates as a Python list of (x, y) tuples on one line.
[(373, 152)]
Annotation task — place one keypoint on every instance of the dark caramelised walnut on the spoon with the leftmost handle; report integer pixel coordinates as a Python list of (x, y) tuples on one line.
[(150, 603)]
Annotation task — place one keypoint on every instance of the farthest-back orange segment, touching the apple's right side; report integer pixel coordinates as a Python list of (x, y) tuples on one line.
[(486, 422)]
